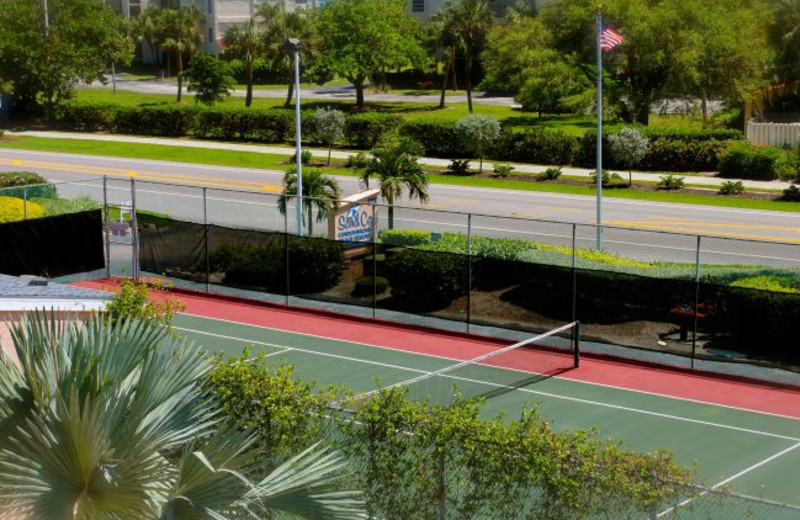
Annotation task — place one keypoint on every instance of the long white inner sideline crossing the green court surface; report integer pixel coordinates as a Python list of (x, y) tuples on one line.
[(497, 385)]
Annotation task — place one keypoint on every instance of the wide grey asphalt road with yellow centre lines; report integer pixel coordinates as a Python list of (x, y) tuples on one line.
[(247, 198)]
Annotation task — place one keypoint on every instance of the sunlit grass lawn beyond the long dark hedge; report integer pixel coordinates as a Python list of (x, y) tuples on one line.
[(410, 110)]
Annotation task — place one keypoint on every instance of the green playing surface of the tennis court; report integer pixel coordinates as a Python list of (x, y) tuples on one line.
[(740, 451)]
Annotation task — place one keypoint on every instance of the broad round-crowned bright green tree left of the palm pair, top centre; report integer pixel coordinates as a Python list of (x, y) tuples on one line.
[(359, 38)]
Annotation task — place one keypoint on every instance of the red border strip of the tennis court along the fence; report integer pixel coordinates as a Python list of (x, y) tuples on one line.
[(619, 374)]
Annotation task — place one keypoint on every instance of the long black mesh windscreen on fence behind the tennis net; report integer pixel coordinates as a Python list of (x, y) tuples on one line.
[(667, 310)]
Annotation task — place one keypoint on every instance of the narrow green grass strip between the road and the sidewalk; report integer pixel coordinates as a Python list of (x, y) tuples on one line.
[(277, 162)]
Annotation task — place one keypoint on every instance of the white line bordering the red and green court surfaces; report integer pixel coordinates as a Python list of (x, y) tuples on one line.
[(589, 383)]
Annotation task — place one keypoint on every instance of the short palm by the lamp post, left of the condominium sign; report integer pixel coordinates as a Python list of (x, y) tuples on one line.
[(319, 191)]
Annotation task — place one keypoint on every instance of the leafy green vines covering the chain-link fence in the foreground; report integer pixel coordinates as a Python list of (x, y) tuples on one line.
[(411, 458)]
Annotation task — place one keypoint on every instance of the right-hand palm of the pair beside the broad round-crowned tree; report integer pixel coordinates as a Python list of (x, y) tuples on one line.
[(471, 22)]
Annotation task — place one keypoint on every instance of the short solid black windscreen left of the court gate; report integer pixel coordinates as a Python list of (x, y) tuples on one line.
[(53, 246)]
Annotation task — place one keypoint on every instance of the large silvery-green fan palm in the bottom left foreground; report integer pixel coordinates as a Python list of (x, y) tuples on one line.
[(109, 419)]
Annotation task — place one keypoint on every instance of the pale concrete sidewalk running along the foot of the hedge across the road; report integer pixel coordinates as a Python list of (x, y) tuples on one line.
[(708, 180)]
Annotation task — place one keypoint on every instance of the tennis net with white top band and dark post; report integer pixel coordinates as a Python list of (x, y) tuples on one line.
[(498, 372)]
